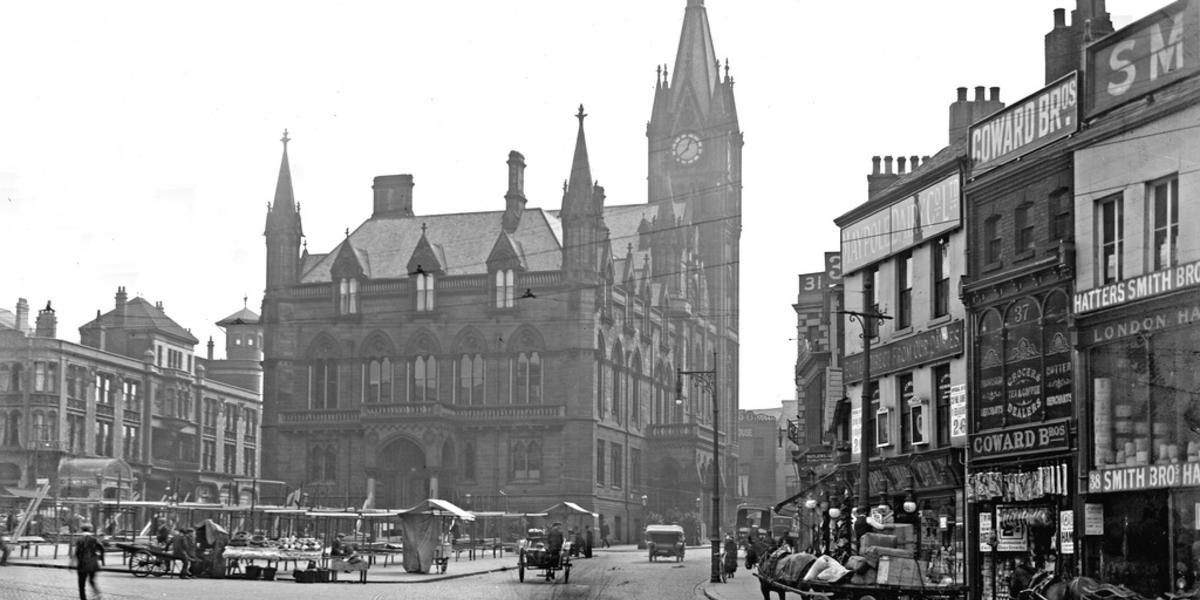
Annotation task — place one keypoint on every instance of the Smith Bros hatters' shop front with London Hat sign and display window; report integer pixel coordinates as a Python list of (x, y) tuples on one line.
[(1143, 502)]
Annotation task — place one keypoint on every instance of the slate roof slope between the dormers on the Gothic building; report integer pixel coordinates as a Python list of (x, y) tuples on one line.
[(465, 241)]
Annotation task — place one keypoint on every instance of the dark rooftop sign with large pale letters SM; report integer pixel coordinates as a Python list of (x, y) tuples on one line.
[(1149, 55)]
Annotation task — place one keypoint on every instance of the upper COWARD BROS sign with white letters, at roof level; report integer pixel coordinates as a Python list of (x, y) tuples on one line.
[(1048, 116)]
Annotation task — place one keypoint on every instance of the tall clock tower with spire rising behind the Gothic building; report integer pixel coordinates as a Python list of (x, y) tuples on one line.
[(695, 158)]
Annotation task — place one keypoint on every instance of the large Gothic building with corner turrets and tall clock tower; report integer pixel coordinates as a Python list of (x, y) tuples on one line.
[(517, 358)]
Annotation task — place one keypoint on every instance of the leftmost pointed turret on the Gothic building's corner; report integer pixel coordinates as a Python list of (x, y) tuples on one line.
[(284, 230)]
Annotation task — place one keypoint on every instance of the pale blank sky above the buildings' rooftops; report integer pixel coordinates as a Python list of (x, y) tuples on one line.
[(140, 141)]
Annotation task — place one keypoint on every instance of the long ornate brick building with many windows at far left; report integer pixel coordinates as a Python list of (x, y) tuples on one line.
[(134, 395)]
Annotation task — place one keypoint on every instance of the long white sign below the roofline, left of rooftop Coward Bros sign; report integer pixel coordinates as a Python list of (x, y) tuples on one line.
[(902, 225)]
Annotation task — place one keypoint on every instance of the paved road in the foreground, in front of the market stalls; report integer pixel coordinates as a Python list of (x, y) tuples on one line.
[(610, 577)]
